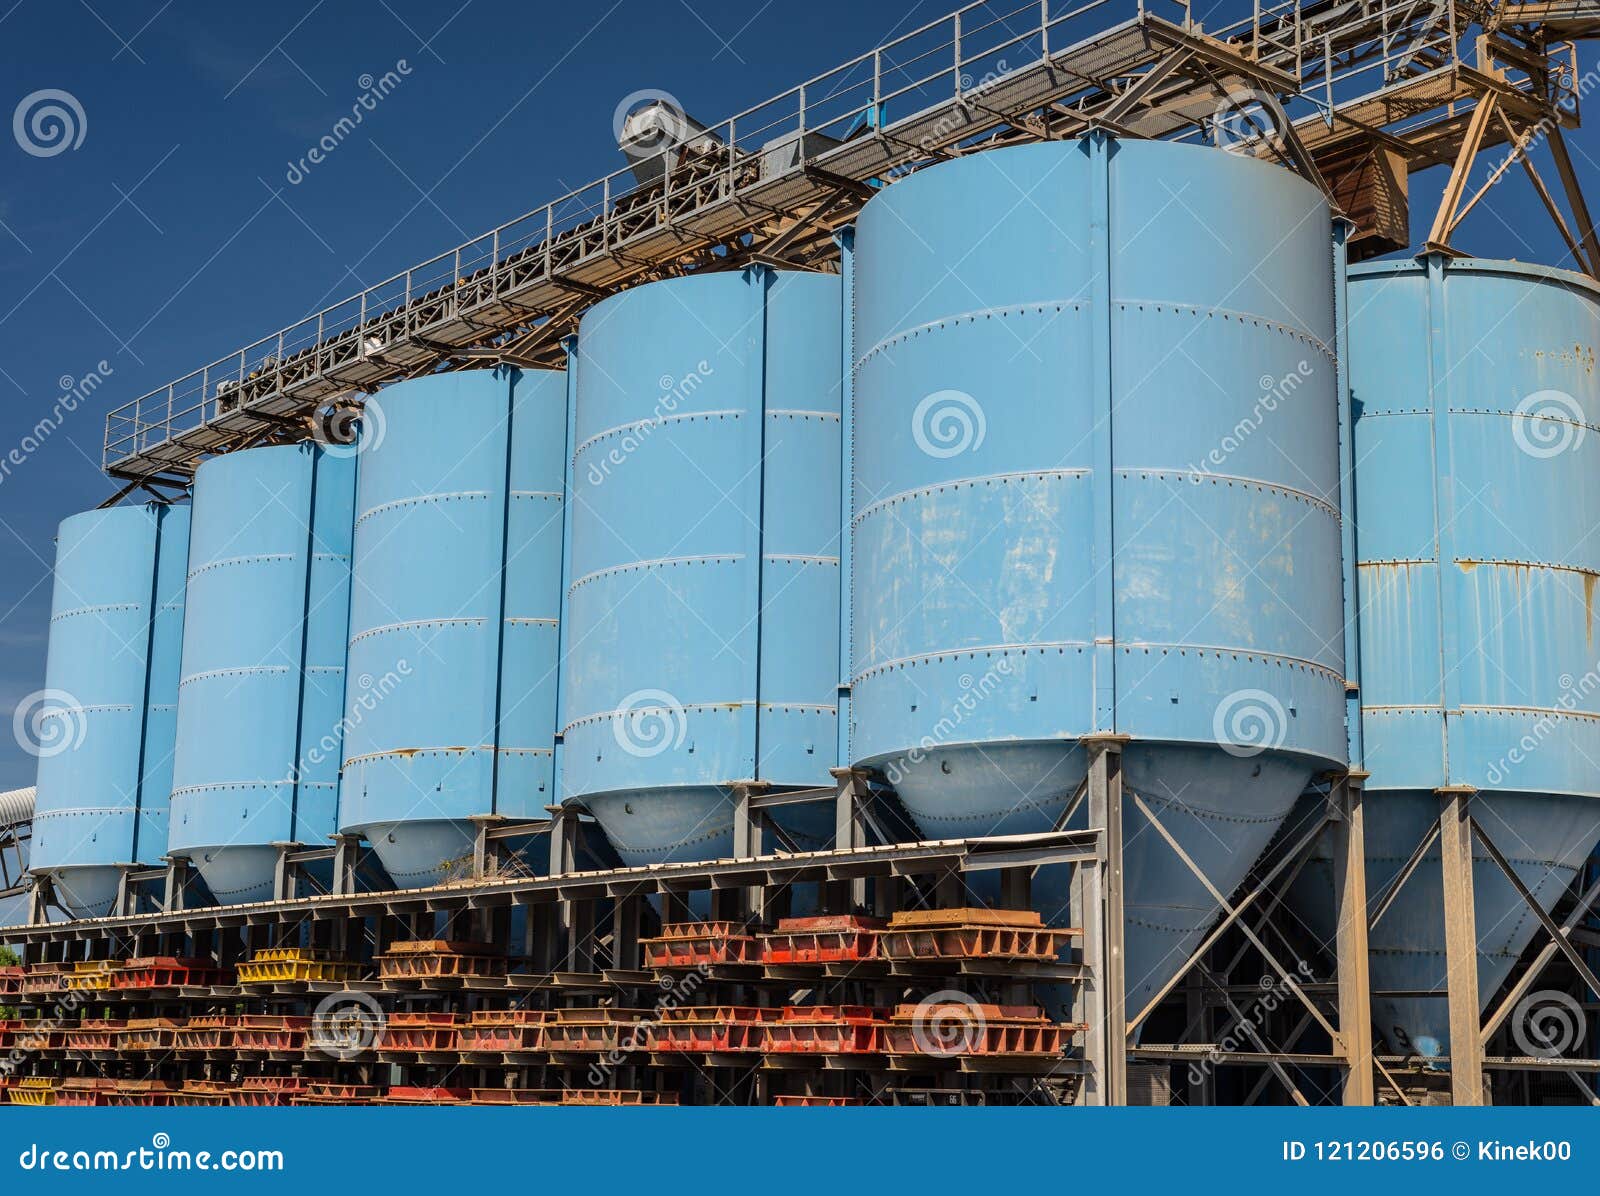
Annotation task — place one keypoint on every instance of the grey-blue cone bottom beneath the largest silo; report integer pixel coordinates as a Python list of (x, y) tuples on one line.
[(1223, 810)]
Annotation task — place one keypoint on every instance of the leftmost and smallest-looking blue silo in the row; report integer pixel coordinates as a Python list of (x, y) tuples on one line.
[(108, 714)]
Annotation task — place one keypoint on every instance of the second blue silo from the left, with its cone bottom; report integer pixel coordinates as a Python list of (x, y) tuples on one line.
[(262, 703)]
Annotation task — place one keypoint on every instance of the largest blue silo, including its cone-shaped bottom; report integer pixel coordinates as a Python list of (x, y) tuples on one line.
[(1095, 492)]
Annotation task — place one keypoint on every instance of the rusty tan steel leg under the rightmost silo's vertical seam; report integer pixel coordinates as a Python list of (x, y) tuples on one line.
[(1462, 947)]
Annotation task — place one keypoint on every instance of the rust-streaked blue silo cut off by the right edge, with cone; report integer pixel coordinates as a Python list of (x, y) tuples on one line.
[(1478, 474)]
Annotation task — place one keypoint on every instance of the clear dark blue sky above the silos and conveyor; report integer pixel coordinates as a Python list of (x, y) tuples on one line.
[(170, 236)]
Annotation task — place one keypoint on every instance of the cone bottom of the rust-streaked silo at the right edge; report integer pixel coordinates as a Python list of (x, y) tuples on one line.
[(1545, 837)]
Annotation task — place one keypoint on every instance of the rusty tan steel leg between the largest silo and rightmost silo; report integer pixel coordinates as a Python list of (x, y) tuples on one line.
[(1350, 899)]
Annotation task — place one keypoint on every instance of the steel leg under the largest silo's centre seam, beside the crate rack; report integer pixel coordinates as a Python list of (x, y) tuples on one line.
[(1105, 928)]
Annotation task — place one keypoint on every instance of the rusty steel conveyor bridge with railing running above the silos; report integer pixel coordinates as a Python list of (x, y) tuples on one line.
[(1353, 94)]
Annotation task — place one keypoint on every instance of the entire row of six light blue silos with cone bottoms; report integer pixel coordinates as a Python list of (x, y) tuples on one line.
[(1081, 477)]
